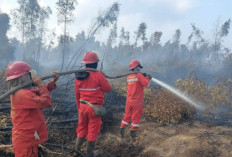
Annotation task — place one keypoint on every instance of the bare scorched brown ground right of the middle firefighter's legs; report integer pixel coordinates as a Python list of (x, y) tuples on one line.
[(188, 139)]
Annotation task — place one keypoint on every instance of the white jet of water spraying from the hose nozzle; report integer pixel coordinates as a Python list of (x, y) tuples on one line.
[(198, 105)]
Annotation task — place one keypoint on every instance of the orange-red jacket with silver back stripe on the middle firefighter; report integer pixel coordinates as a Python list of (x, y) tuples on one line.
[(91, 89)]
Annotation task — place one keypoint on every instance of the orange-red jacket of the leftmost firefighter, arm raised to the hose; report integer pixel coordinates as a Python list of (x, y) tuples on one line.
[(29, 127)]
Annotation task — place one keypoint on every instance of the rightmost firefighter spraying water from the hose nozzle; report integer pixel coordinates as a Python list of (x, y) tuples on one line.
[(134, 103)]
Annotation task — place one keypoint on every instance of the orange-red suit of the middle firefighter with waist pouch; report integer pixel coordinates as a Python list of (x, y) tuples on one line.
[(90, 89)]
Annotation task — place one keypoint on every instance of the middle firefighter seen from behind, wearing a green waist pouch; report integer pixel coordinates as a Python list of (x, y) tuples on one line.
[(89, 88)]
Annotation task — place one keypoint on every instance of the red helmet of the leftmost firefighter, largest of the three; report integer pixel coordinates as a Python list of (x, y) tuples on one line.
[(17, 69)]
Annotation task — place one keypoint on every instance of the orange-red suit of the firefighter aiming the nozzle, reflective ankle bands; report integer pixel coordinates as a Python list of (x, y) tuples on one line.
[(134, 102)]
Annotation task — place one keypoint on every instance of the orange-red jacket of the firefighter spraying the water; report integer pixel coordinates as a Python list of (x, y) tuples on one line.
[(135, 85)]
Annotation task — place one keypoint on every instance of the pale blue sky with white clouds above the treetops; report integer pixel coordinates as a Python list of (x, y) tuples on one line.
[(159, 15)]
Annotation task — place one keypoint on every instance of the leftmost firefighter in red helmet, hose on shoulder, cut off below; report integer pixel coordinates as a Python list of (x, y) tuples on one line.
[(29, 127)]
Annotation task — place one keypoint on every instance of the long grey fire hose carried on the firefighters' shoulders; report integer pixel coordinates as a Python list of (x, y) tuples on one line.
[(13, 90)]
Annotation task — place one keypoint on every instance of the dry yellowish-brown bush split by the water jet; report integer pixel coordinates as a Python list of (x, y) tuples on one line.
[(167, 108)]
